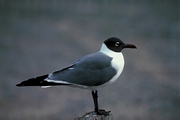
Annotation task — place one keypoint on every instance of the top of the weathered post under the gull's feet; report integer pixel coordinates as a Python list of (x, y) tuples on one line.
[(93, 116)]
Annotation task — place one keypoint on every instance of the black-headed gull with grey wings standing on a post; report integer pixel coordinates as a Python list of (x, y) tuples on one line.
[(91, 71)]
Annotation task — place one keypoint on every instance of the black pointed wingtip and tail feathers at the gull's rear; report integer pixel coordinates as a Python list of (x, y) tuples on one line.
[(38, 81)]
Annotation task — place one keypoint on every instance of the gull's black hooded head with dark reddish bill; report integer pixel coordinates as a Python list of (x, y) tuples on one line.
[(115, 44)]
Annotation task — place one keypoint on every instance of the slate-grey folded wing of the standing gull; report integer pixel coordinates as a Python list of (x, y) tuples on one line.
[(91, 70)]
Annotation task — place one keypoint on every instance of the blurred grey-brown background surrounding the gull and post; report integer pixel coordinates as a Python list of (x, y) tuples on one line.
[(40, 36)]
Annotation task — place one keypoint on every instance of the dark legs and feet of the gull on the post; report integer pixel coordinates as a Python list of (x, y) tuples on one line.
[(96, 107)]
